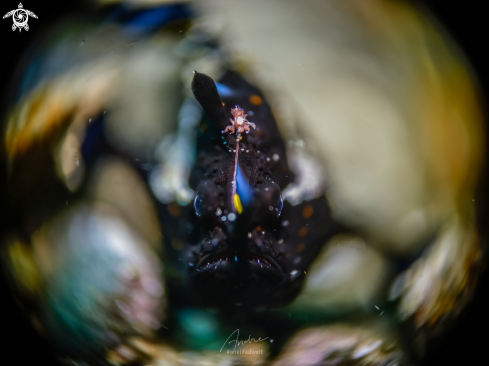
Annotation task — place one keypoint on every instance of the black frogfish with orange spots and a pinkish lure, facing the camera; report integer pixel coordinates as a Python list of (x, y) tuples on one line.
[(242, 243)]
